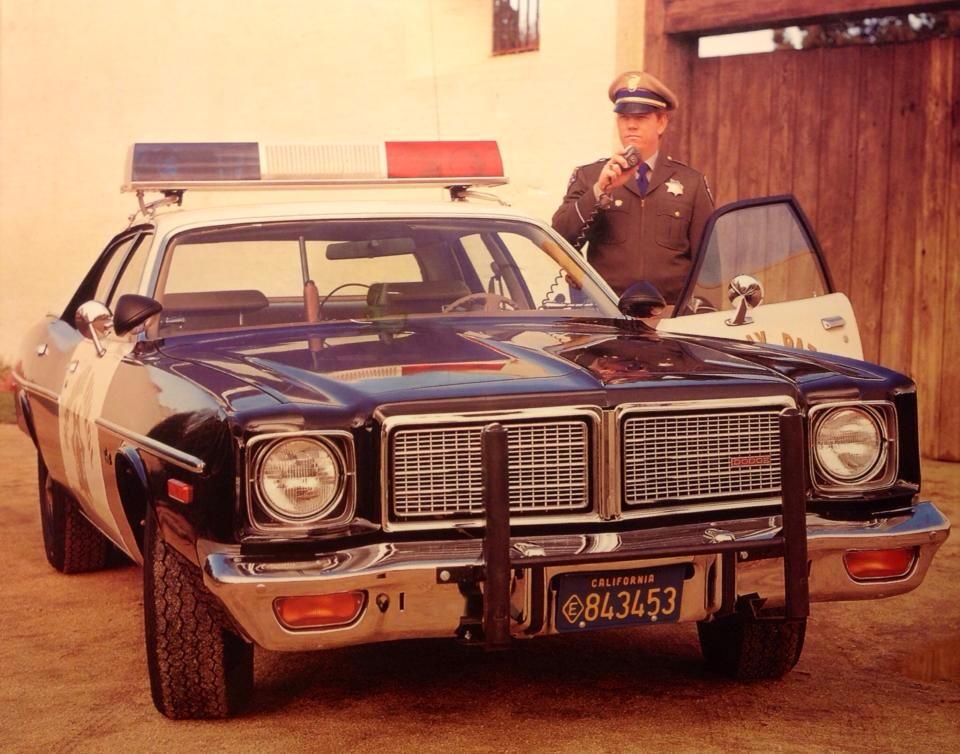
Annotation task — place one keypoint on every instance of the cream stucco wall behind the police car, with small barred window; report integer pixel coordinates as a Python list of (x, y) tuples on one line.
[(79, 82)]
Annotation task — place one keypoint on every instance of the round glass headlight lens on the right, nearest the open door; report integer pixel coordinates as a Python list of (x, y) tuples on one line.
[(848, 444)]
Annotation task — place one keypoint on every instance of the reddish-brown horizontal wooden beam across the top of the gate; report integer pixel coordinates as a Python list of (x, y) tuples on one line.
[(725, 16)]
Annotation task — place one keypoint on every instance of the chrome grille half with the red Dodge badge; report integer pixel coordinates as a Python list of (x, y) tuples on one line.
[(700, 456)]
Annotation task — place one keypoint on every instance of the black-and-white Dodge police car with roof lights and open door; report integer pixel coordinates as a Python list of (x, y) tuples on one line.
[(318, 425)]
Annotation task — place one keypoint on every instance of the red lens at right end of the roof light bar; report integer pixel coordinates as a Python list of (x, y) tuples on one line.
[(443, 159)]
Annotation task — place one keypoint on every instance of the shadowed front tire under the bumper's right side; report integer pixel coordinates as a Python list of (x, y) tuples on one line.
[(747, 648)]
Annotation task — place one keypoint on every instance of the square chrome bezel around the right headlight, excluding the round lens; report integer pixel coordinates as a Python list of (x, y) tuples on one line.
[(882, 474)]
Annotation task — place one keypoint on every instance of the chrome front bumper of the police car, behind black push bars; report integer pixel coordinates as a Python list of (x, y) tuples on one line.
[(422, 597)]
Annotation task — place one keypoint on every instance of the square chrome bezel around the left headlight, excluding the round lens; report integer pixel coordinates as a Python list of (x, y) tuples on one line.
[(264, 518)]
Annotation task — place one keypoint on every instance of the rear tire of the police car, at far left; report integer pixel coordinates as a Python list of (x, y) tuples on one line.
[(71, 542)]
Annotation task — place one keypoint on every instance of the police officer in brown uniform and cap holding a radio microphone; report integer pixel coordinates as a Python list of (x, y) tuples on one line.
[(643, 222)]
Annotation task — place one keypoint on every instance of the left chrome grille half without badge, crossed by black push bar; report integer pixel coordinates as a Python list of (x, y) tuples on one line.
[(437, 472)]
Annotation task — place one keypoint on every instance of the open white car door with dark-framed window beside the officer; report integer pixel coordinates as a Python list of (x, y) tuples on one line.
[(760, 276)]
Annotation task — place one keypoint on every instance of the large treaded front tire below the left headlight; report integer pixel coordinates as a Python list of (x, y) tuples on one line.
[(198, 667)]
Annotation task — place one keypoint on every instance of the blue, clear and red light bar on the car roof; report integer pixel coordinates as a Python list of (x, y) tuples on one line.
[(250, 165)]
